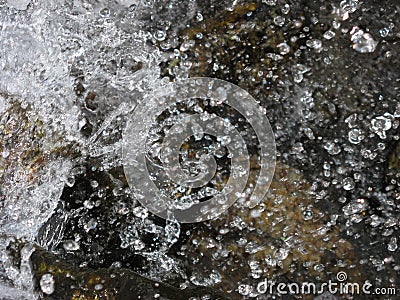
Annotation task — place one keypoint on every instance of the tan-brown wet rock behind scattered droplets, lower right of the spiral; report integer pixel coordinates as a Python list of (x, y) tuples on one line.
[(286, 238)]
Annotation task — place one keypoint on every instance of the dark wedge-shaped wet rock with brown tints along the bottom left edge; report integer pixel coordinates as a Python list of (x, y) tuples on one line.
[(66, 281)]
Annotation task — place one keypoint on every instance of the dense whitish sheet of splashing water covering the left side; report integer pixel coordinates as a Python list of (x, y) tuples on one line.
[(50, 52)]
